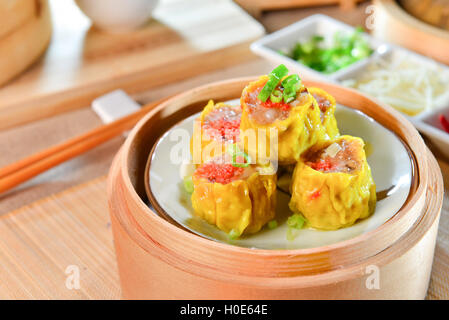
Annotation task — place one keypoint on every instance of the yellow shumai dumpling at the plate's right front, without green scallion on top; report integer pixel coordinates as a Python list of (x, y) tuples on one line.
[(332, 185)]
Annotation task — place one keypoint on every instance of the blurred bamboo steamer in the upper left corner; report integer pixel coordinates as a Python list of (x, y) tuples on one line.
[(25, 32)]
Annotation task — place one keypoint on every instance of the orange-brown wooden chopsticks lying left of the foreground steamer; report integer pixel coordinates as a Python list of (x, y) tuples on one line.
[(29, 167)]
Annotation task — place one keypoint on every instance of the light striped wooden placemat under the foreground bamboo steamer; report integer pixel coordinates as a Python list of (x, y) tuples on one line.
[(39, 242)]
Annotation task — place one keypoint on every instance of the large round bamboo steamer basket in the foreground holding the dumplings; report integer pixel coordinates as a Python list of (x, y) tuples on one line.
[(159, 260)]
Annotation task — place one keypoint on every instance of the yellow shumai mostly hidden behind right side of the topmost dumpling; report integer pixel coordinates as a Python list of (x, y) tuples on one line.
[(327, 105)]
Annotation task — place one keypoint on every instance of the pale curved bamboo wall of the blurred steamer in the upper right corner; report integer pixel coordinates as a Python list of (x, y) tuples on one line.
[(394, 24)]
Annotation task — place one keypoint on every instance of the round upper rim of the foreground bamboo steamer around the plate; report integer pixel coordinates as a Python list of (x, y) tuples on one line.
[(197, 251)]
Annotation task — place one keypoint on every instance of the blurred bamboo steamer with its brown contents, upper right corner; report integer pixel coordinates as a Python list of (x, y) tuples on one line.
[(394, 24)]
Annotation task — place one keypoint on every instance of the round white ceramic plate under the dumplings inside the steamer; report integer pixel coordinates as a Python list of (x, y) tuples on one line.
[(390, 164)]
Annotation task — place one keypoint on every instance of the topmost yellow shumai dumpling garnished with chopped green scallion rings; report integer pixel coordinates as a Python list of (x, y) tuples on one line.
[(280, 103)]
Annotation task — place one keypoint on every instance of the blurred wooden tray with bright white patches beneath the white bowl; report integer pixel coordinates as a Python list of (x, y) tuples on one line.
[(82, 63)]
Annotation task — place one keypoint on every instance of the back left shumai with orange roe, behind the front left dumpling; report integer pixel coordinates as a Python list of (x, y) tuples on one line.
[(217, 126)]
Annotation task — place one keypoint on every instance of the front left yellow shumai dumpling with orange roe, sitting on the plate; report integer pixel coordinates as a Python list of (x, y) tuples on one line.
[(236, 200)]
